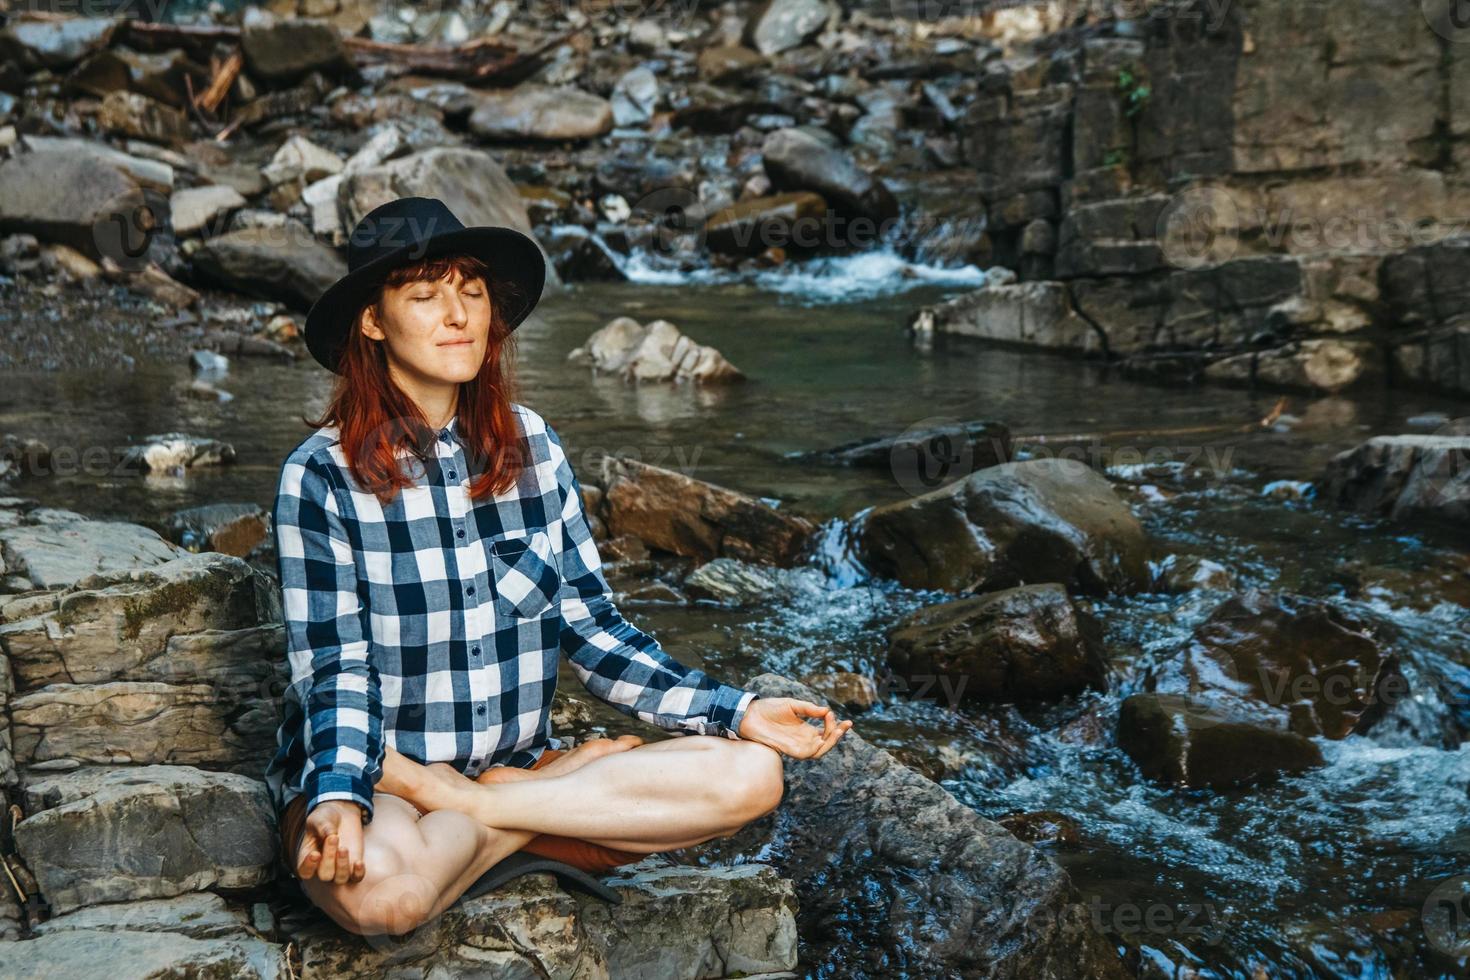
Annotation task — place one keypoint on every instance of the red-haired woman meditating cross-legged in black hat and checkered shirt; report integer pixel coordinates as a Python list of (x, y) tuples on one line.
[(436, 563)]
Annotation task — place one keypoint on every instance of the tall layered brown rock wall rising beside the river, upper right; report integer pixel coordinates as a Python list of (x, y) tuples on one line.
[(1259, 192)]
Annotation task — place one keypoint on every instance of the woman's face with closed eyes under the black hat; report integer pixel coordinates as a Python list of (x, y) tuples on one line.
[(433, 333)]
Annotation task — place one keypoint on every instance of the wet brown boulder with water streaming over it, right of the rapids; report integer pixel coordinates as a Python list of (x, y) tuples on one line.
[(1303, 660)]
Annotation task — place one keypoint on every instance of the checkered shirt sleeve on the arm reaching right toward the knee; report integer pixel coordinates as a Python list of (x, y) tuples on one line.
[(615, 660)]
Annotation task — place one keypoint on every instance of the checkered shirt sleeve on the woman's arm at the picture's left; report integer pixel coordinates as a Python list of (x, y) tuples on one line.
[(327, 640)]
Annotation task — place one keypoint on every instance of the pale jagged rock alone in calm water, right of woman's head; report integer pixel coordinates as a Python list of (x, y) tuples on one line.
[(653, 353)]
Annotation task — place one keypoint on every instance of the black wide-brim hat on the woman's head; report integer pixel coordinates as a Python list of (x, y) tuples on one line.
[(408, 231)]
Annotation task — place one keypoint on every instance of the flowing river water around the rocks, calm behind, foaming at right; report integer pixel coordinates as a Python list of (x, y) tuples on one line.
[(1316, 875)]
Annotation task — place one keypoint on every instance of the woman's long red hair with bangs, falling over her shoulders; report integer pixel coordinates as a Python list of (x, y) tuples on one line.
[(379, 421)]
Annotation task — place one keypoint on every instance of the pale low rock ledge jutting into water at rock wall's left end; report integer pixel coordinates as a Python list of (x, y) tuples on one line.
[(1031, 314)]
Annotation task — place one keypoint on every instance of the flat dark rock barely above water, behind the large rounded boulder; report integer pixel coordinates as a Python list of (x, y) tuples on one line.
[(927, 455)]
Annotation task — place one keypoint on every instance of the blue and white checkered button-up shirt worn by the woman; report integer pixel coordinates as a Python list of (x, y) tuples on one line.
[(436, 624)]
